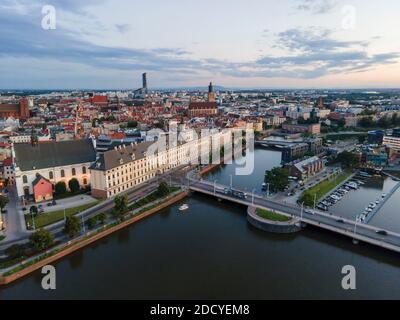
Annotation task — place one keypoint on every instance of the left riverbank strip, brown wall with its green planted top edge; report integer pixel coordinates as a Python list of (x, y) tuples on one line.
[(50, 256)]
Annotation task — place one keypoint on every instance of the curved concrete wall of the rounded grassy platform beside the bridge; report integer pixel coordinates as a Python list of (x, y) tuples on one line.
[(290, 226)]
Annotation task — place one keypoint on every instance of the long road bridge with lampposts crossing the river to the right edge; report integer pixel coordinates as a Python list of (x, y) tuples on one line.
[(350, 228)]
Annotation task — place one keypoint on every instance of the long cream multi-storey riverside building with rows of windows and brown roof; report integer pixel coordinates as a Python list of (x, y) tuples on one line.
[(125, 167)]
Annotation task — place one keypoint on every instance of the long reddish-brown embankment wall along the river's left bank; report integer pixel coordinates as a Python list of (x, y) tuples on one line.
[(80, 243)]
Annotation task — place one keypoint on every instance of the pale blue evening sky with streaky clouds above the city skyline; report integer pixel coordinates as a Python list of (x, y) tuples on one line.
[(107, 44)]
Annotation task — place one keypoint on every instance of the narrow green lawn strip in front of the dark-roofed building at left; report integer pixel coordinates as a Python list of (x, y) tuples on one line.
[(44, 219)]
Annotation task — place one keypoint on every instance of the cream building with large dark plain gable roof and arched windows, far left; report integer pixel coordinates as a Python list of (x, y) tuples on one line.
[(54, 161)]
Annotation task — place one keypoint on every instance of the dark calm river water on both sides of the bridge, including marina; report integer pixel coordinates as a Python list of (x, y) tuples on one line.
[(211, 252)]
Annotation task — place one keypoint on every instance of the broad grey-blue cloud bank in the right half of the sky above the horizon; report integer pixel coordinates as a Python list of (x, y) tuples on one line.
[(311, 53)]
